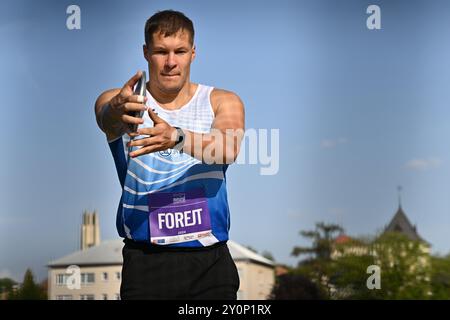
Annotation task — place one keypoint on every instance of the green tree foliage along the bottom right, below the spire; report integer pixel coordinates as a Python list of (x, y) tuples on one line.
[(341, 270)]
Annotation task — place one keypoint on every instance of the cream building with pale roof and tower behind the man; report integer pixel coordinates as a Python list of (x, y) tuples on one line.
[(94, 272)]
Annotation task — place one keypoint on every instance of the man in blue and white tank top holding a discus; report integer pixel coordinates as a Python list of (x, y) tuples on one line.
[(173, 212)]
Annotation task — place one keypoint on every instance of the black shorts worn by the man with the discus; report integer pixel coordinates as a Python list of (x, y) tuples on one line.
[(156, 272)]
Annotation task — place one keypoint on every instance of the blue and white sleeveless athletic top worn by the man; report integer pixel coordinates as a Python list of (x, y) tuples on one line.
[(192, 187)]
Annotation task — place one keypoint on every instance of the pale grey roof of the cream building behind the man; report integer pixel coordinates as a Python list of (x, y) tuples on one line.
[(110, 253)]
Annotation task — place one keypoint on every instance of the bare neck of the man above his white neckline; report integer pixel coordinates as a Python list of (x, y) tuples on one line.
[(175, 100)]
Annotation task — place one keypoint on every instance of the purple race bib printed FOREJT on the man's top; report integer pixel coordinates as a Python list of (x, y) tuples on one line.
[(176, 217)]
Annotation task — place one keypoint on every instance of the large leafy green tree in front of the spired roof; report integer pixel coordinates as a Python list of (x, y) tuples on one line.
[(404, 265)]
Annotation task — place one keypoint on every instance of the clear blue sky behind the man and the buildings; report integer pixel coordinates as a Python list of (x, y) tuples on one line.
[(359, 112)]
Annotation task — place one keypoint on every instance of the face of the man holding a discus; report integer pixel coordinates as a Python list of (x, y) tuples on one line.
[(169, 60)]
